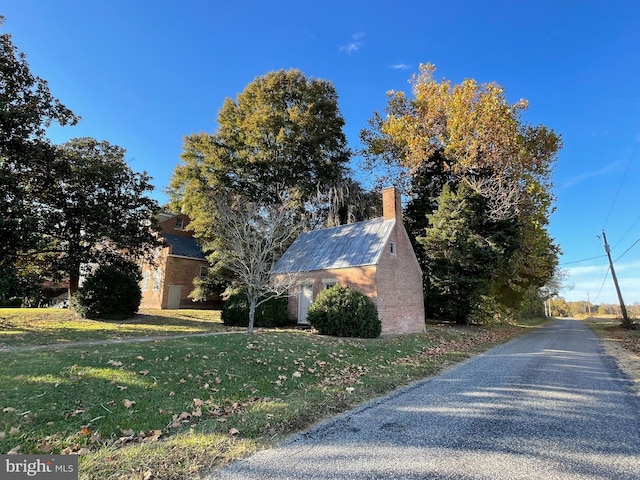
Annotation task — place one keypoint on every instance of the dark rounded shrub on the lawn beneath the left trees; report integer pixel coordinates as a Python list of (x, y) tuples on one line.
[(111, 292)]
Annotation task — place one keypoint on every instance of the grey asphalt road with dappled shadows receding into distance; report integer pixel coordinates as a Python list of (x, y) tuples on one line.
[(550, 405)]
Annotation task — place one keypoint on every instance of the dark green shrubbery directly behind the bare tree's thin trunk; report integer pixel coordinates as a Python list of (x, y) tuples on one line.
[(272, 313)]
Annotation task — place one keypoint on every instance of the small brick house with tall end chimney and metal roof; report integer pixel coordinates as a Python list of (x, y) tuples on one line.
[(373, 256)]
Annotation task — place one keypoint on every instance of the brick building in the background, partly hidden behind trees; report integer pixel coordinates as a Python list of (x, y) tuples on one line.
[(168, 283)]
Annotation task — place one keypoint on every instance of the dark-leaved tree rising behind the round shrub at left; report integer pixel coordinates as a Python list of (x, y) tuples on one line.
[(95, 202)]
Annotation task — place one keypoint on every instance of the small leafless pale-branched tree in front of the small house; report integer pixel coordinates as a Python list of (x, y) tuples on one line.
[(252, 236)]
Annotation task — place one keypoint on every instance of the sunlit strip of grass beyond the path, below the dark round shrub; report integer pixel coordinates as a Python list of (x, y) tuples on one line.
[(48, 326)]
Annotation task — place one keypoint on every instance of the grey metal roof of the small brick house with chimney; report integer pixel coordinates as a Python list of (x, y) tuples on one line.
[(353, 245)]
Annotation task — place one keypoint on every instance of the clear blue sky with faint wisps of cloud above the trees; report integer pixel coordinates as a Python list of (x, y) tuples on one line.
[(143, 74)]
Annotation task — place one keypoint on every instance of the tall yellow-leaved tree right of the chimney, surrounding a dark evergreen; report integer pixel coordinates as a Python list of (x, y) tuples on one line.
[(470, 134)]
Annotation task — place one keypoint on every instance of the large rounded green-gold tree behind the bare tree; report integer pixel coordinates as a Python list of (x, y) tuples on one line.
[(282, 135)]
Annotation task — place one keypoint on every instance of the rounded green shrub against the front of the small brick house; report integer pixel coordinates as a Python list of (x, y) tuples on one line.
[(344, 312)]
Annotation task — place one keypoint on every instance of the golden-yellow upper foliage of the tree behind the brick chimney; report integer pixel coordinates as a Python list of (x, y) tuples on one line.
[(473, 124)]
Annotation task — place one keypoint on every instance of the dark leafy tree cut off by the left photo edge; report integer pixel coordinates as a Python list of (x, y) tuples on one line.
[(27, 108)]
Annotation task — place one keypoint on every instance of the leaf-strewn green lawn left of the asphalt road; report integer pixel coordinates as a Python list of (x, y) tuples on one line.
[(176, 408)]
